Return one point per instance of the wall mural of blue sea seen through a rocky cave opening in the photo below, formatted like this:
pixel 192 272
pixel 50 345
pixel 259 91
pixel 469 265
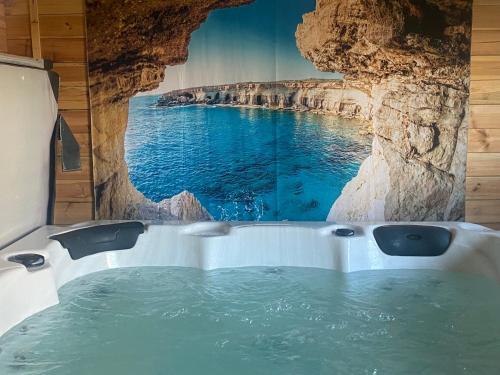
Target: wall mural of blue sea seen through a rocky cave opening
pixel 344 110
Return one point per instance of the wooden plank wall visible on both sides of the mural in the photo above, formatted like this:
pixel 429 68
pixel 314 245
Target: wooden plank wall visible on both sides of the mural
pixel 62 34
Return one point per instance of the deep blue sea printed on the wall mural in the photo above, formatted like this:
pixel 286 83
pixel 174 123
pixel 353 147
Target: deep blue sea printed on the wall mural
pixel 243 163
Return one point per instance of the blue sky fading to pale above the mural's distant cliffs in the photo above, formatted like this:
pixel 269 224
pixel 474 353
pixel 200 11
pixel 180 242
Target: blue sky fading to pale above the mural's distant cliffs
pixel 254 42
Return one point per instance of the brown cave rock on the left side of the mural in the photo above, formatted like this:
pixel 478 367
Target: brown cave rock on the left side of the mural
pixel 129 43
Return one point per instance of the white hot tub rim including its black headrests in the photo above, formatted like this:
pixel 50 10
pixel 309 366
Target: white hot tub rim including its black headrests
pixel 33 269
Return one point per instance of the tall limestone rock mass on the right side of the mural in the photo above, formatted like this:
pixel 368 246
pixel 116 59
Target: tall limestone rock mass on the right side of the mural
pixel 412 57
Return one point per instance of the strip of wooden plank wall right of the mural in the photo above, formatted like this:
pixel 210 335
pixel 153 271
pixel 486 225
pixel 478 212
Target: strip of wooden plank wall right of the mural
pixel 483 164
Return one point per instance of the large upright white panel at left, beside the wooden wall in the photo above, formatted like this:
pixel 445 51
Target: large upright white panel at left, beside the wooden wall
pixel 28 111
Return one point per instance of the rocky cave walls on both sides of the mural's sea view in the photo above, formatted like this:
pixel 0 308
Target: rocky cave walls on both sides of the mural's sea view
pixel 408 60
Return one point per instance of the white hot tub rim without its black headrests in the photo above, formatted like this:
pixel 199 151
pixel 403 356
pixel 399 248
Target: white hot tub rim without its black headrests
pixel 211 245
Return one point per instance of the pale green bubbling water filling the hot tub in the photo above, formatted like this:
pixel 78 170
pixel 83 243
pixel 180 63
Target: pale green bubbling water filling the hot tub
pixel 265 321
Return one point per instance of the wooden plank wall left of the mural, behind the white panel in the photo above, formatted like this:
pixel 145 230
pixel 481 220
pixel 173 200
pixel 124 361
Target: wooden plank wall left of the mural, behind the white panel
pixel 62 40
